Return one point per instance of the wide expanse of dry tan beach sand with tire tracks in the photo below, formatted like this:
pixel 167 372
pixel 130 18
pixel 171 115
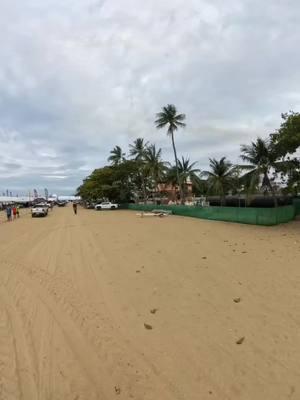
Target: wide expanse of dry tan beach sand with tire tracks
pixel 108 305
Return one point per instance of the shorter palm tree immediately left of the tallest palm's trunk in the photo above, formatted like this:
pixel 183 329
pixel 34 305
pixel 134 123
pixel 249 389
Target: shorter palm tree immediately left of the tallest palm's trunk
pixel 154 165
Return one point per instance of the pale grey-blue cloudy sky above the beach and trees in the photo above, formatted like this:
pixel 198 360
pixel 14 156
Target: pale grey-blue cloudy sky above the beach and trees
pixel 78 77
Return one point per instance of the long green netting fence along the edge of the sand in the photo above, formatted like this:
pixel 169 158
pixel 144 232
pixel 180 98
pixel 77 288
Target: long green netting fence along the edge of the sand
pixel 254 216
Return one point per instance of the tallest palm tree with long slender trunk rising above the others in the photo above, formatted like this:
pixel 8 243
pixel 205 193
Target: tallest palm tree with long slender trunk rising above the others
pixel 169 117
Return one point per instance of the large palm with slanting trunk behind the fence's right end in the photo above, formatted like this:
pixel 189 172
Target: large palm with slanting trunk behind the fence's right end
pixel 261 156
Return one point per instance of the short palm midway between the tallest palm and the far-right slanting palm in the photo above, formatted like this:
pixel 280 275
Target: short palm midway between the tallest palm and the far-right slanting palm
pixel 220 176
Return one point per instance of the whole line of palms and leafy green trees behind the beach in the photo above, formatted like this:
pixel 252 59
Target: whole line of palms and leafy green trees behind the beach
pixel 268 165
